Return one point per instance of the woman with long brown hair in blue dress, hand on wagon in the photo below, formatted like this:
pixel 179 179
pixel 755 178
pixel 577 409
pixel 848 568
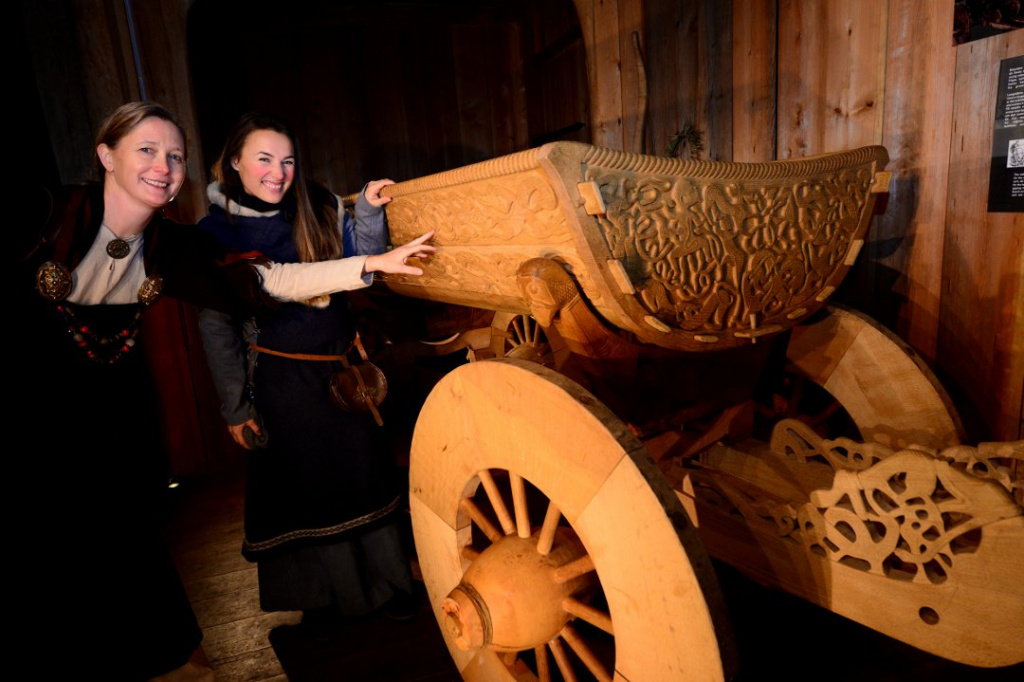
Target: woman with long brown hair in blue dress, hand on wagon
pixel 323 496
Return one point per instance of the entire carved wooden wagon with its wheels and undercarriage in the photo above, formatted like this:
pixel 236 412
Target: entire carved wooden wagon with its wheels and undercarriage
pixel 661 382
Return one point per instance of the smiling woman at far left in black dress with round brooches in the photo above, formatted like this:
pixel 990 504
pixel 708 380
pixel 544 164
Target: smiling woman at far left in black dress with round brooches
pixel 97 472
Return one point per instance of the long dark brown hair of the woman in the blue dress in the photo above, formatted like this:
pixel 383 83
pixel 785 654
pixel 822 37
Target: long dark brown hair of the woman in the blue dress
pixel 315 231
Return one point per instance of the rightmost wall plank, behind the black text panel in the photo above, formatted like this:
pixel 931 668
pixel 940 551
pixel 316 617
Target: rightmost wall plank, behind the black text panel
pixel 982 310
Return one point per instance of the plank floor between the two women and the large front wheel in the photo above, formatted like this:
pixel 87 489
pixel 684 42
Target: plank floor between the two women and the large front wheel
pixel 204 533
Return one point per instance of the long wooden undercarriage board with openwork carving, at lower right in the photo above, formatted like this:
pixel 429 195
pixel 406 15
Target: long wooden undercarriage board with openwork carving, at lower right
pixel 925 546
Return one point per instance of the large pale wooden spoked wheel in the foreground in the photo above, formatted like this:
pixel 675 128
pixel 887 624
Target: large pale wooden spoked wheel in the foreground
pixel 551 547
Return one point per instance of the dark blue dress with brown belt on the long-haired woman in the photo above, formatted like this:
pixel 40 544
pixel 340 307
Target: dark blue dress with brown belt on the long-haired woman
pixel 324 499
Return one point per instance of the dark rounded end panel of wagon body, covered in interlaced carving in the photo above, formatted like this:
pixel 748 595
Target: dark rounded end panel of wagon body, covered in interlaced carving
pixel 707 257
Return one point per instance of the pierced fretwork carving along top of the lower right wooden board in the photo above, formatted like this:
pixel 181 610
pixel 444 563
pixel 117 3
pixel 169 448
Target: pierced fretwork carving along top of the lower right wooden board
pixel 906 515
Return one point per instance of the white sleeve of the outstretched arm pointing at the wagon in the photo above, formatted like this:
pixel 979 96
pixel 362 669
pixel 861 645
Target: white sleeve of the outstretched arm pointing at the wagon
pixel 300 282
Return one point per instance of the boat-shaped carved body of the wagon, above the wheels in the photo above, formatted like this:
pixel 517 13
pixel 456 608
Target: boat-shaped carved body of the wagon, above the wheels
pixel 681 254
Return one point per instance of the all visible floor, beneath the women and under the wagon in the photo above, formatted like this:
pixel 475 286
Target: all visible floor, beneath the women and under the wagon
pixel 779 636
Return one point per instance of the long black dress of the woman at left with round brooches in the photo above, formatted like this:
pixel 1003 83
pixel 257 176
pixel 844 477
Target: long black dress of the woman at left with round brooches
pixel 99 591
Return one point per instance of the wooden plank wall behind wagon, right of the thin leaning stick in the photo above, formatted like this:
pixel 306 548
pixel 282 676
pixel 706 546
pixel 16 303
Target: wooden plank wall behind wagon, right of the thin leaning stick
pixel 813 77
